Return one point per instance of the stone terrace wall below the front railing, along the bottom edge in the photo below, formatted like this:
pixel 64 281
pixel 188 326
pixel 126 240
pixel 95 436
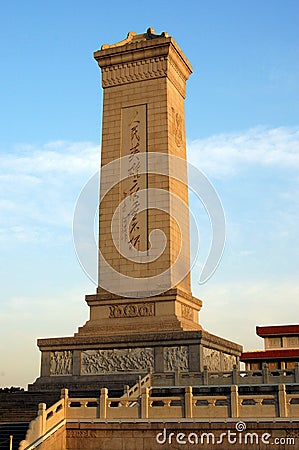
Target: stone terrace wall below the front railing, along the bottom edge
pixel 168 435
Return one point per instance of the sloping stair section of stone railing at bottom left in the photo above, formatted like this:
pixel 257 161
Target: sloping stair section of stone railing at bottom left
pixel 47 422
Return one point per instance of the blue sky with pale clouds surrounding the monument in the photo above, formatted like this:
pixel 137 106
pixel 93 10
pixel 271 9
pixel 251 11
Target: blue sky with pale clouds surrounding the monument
pixel 242 131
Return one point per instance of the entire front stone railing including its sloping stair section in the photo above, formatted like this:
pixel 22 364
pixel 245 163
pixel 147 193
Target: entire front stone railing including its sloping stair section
pixel 198 402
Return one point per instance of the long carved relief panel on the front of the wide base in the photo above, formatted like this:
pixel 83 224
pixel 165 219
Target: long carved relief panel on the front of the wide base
pixel 116 360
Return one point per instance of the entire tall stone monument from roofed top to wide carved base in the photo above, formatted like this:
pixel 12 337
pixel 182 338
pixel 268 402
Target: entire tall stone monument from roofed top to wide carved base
pixel 143 316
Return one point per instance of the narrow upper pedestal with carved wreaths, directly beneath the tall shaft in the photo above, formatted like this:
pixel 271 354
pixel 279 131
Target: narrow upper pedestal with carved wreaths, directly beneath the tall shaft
pixel 174 310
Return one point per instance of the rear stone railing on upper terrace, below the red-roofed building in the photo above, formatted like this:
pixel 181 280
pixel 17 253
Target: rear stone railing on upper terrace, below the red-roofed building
pixel 233 377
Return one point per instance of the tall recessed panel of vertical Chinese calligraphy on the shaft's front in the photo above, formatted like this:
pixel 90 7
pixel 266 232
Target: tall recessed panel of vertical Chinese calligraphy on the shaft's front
pixel 133 211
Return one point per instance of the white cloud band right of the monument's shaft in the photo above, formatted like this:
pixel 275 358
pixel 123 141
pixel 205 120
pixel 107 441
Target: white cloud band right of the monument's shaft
pixel 224 154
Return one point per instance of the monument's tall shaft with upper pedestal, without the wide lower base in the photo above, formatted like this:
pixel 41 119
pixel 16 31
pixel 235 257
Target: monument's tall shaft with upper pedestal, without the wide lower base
pixel 144 81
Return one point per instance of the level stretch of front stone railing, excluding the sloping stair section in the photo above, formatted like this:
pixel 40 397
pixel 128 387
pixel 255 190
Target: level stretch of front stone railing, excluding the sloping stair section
pixel 188 403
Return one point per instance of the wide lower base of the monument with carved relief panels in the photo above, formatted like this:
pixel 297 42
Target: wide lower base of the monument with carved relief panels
pixel 91 362
